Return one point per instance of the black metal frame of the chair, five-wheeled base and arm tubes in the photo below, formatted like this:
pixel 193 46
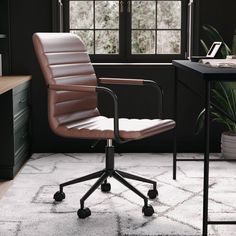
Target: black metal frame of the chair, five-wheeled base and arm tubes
pixel 109 170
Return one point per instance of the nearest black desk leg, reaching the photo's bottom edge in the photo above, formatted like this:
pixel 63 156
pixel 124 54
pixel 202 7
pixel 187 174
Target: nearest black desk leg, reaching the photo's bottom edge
pixel 206 158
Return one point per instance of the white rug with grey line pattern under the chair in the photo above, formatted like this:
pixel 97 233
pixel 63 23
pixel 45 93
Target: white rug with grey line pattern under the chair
pixel 28 208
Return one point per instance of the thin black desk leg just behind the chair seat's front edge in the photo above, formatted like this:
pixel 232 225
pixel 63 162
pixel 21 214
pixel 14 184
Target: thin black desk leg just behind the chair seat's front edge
pixel 175 129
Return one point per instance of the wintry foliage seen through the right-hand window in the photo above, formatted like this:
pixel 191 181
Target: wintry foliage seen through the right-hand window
pixel 156 27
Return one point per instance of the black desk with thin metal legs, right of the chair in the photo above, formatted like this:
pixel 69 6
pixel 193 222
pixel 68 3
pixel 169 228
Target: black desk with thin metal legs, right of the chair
pixel 207 74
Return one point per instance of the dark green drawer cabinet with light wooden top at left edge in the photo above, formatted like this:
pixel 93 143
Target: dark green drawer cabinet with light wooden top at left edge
pixel 14 126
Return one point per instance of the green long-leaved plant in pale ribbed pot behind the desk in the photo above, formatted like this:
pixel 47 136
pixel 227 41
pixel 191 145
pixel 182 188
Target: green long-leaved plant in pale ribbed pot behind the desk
pixel 224 97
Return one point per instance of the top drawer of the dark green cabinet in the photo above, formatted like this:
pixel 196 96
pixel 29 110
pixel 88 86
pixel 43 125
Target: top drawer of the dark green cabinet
pixel 20 100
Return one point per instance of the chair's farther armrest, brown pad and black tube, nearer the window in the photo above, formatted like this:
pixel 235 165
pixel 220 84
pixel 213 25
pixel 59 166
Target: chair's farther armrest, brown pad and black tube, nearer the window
pixel 142 82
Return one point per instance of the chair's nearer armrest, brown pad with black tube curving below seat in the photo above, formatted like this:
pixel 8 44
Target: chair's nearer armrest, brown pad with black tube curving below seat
pixel 85 88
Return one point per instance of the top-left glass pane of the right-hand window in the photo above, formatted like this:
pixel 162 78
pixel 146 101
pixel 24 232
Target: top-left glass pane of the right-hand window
pixel 143 14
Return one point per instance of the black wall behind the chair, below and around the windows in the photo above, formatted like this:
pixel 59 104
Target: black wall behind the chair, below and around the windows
pixel 27 17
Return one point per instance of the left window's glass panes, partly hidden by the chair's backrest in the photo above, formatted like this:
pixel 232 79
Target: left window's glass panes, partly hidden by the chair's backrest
pixel 97 23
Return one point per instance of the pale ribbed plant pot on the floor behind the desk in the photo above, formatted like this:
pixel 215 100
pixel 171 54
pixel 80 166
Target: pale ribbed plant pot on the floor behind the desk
pixel 228 145
